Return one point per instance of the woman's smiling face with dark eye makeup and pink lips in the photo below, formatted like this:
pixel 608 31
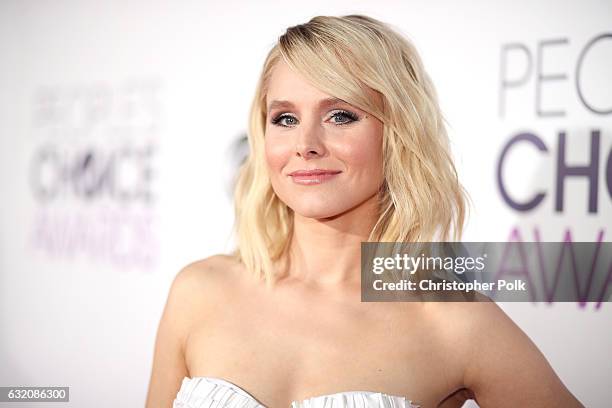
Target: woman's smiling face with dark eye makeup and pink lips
pixel 324 155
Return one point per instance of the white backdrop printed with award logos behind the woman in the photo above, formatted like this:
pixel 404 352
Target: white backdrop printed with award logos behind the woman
pixel 118 123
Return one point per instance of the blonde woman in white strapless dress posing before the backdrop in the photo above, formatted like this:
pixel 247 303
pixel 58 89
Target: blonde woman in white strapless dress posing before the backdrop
pixel 347 144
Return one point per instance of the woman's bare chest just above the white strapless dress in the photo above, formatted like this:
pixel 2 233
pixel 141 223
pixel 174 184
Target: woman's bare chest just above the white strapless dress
pixel 288 355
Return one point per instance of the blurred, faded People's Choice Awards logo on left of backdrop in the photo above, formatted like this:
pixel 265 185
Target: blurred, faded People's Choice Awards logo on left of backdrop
pixel 92 172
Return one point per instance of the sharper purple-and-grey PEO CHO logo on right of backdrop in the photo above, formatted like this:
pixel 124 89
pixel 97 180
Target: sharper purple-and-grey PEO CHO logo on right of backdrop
pixel 556 92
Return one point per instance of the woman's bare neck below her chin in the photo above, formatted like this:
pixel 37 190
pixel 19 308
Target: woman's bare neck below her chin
pixel 327 252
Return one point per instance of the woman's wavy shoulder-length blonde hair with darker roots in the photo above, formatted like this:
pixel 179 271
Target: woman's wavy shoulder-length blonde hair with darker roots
pixel 421 199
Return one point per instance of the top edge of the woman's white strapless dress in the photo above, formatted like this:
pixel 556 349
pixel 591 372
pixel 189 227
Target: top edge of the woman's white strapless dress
pixel 212 392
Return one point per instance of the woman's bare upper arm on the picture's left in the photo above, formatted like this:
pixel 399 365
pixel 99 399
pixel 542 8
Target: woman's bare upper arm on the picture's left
pixel 169 367
